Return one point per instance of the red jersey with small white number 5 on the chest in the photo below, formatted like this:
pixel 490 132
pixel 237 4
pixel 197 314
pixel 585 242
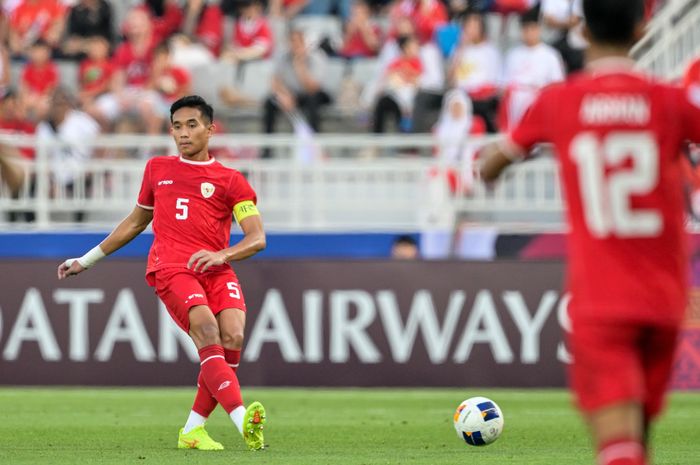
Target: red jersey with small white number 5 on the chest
pixel 192 206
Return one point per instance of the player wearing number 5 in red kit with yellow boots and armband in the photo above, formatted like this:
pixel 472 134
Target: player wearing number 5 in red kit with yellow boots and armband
pixel 191 199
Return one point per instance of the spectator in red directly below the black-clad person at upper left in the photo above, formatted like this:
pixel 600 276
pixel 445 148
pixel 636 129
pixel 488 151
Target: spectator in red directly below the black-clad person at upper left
pixel 95 71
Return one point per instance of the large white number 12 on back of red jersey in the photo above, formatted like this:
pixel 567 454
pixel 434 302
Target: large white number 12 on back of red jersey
pixel 605 196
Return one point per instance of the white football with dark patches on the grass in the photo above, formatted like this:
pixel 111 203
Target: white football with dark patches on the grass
pixel 478 421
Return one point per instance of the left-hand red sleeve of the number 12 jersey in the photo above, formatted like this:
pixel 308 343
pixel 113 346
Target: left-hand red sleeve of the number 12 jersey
pixel 533 127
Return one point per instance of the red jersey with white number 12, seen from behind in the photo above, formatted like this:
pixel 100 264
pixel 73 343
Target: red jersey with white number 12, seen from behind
pixel 618 136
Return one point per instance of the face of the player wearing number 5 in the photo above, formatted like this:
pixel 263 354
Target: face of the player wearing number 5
pixel 191 132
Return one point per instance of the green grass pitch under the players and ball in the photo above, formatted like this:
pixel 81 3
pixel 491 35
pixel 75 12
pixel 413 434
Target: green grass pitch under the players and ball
pixel 314 426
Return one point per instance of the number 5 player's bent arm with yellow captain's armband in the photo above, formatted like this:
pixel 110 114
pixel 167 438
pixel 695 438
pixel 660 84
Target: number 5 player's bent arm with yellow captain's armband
pixel 253 241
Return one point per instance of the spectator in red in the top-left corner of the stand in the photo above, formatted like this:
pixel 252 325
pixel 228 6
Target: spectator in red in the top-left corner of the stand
pixel 33 20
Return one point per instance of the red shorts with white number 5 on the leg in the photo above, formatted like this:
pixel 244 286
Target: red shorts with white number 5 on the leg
pixel 181 289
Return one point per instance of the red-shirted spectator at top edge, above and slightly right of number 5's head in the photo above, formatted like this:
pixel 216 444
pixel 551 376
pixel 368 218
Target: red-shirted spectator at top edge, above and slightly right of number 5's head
pixel 252 36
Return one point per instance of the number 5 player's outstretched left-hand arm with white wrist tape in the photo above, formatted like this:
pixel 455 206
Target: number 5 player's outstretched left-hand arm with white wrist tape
pixel 129 228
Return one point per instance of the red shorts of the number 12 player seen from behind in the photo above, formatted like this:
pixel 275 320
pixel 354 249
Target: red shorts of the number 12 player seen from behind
pixel 621 362
